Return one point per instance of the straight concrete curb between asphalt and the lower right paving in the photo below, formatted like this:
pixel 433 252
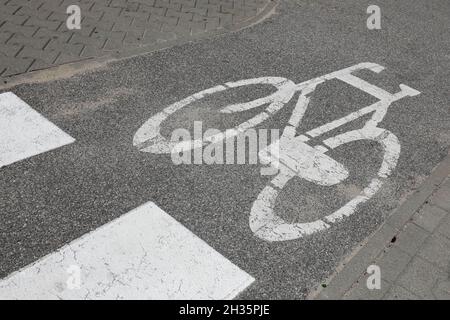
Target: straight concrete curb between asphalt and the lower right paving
pixel 355 265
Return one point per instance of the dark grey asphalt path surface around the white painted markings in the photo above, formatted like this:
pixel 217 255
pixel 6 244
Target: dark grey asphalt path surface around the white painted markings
pixel 53 198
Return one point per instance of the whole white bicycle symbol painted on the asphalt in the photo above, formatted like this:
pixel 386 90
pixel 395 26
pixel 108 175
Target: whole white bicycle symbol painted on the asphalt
pixel 296 158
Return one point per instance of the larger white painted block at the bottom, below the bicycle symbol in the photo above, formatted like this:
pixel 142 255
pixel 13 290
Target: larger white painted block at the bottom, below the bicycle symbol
pixel 144 254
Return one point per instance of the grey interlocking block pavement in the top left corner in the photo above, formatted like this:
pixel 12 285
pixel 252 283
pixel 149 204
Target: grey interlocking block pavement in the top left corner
pixel 34 35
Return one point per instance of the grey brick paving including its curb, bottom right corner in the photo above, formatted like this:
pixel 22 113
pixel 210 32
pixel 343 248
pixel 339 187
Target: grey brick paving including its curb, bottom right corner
pixel 412 249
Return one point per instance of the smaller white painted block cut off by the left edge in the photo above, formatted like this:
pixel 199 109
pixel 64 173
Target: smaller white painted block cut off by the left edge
pixel 24 132
